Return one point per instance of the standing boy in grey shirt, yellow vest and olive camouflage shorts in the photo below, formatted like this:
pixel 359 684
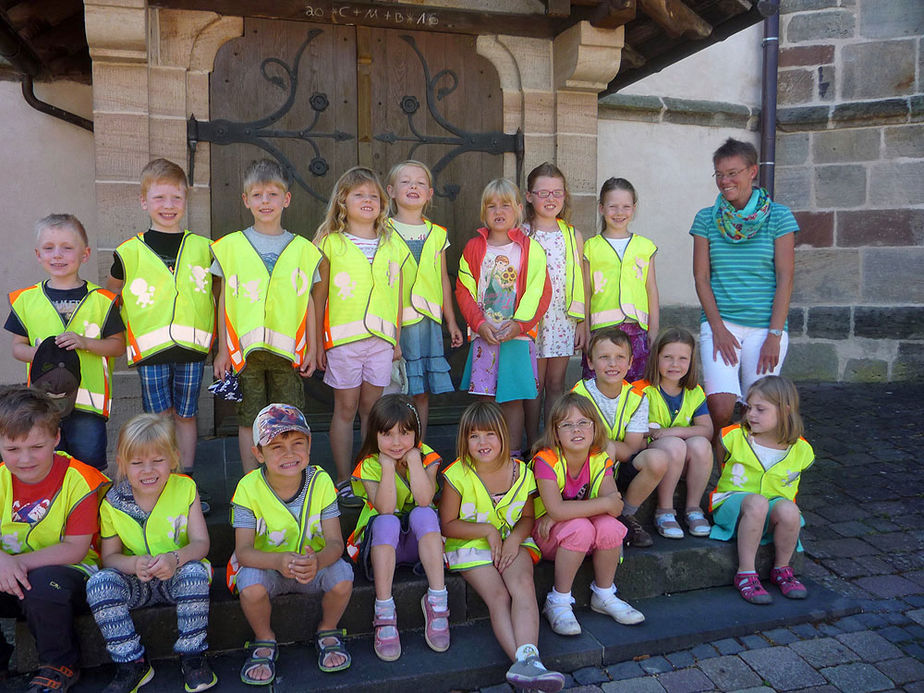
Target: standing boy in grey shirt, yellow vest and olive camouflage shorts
pixel 267 316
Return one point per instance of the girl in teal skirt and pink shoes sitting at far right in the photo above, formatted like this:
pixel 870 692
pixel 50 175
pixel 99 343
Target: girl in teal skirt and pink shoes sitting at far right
pixel 755 496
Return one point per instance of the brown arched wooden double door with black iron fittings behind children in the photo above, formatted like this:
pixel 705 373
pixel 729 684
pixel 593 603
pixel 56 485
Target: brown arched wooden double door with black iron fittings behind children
pixel 323 98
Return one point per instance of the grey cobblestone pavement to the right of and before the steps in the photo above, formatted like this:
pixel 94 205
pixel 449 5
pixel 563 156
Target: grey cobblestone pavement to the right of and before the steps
pixel 863 502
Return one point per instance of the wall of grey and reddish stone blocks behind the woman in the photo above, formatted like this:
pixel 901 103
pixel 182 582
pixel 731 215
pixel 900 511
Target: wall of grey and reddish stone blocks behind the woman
pixel 850 163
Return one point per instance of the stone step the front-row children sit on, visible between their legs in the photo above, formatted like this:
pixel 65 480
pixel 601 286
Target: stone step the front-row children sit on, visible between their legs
pixel 668 567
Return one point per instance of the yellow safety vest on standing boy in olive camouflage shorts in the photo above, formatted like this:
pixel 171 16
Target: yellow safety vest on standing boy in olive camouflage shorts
pixel 262 310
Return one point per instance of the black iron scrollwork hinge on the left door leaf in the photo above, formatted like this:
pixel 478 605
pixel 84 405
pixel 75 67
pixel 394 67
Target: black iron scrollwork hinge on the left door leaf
pixel 260 134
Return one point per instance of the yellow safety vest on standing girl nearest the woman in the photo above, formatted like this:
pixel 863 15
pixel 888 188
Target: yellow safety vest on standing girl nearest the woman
pixel 618 287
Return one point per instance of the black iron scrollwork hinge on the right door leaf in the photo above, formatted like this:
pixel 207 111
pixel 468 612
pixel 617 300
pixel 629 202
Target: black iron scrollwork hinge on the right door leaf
pixel 463 140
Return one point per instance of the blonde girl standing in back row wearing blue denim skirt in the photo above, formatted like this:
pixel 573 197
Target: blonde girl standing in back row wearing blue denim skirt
pixel 427 296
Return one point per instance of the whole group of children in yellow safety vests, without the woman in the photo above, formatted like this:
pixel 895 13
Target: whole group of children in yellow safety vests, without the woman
pixel 372 290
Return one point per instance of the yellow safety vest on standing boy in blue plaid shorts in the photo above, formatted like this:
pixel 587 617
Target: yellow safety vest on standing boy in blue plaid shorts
pixel 163 309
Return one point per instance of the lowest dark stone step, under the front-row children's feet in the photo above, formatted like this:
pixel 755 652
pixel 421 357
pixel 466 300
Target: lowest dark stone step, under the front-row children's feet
pixel 475 660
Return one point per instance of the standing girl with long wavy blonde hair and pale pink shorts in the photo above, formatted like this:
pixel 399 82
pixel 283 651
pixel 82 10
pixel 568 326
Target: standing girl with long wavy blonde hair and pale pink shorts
pixel 359 308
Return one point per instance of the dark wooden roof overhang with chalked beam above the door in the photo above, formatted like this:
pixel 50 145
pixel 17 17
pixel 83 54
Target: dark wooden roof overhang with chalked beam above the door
pixel 45 39
